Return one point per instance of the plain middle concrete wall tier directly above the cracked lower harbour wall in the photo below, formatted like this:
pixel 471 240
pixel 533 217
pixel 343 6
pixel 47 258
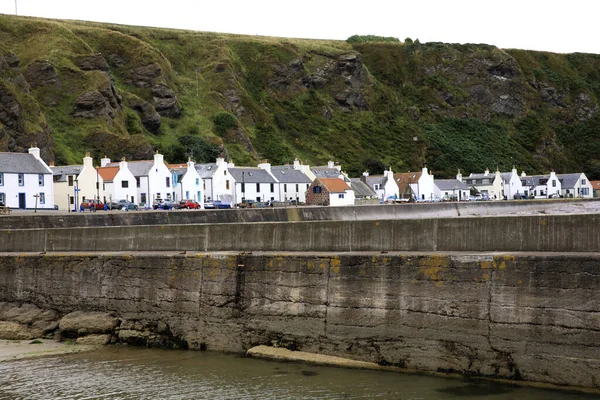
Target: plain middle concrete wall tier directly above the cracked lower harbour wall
pixel 554 233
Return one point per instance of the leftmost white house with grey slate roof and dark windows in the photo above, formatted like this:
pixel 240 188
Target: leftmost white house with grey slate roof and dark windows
pixel 26 181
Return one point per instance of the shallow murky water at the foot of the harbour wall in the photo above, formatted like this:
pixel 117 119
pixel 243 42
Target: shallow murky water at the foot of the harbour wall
pixel 122 373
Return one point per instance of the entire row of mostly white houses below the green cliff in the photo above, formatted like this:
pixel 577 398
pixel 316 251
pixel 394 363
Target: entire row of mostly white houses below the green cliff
pixel 27 182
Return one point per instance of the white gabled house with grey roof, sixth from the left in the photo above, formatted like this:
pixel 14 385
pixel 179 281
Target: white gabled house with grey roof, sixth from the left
pixel 217 181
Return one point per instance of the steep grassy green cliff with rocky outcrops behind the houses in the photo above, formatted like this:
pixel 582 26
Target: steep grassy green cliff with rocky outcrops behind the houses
pixel 118 90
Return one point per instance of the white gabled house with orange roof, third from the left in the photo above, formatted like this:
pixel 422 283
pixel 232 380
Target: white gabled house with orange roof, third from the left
pixel 119 183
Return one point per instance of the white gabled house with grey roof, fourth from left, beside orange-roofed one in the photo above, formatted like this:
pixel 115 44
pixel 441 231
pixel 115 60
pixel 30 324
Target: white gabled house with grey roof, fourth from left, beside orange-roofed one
pixel 153 179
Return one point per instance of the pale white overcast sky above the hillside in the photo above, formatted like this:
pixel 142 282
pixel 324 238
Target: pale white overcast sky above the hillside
pixel 550 25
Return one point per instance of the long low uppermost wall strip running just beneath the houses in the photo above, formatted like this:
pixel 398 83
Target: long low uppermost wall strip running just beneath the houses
pixel 51 219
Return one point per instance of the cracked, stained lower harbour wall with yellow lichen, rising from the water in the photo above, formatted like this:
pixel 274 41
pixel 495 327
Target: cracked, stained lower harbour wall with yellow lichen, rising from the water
pixel 532 317
